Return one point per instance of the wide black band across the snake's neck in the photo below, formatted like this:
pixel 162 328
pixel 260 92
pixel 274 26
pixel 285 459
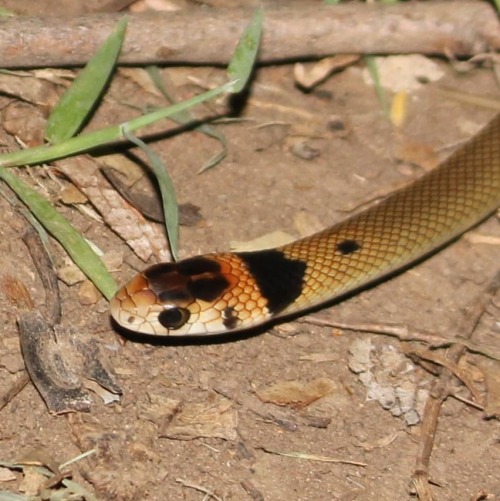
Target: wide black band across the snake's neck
pixel 279 279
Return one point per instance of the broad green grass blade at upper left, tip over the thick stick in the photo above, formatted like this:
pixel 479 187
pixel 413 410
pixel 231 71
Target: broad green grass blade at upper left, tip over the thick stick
pixel 80 99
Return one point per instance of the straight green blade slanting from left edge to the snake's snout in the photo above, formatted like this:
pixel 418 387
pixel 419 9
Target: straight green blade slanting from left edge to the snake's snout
pixel 60 228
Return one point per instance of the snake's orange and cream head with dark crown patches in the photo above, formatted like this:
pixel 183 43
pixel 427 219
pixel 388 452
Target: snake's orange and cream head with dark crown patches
pixel 202 295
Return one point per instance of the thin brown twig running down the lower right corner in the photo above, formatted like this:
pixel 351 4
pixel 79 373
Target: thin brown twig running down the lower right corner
pixel 440 392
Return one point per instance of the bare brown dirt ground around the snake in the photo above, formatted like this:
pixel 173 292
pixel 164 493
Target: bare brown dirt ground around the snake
pixel 192 422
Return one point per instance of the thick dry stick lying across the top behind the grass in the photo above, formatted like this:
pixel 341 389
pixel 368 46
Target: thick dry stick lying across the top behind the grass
pixel 294 31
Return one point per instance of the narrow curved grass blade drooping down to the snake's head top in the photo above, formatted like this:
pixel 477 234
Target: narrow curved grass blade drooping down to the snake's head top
pixel 167 190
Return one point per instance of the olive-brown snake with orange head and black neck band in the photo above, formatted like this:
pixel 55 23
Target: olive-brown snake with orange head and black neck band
pixel 226 292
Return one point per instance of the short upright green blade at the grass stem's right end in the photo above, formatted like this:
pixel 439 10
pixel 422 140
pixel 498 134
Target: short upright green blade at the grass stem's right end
pixel 243 60
